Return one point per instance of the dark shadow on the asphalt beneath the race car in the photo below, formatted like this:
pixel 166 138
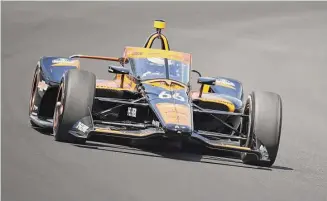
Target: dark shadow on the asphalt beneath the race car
pixel 168 151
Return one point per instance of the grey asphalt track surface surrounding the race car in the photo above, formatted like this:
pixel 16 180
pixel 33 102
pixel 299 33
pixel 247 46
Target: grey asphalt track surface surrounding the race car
pixel 278 47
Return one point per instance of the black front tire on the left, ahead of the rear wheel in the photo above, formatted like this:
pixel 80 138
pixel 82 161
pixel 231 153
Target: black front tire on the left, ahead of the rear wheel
pixel 75 101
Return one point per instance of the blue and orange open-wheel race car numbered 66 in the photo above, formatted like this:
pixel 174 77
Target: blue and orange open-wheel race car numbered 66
pixel 151 96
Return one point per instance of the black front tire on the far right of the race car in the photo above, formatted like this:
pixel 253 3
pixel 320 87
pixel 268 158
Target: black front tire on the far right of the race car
pixel 264 128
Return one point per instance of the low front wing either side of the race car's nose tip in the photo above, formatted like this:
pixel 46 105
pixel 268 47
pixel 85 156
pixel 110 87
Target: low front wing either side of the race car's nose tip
pixel 88 127
